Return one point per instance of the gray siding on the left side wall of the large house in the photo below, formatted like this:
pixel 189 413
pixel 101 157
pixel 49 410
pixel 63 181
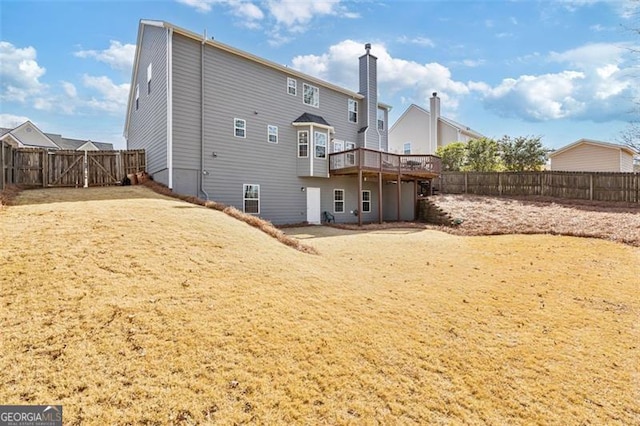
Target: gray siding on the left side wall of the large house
pixel 148 124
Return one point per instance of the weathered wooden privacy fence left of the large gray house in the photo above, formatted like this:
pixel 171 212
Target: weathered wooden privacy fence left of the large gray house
pixel 30 167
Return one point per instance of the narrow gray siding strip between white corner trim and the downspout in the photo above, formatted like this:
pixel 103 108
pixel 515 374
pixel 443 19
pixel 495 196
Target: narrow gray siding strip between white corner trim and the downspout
pixel 186 82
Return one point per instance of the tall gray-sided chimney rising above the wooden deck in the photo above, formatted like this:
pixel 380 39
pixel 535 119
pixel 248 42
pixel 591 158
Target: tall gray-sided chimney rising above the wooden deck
pixel 368 116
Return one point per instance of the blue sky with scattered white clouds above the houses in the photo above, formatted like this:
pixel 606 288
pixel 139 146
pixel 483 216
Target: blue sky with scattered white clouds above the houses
pixel 561 69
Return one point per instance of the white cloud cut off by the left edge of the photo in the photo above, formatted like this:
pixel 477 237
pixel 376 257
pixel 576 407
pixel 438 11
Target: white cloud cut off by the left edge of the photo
pixel 19 72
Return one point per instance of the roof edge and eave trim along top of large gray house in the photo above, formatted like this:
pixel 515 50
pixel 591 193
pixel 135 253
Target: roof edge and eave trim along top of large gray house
pixel 229 49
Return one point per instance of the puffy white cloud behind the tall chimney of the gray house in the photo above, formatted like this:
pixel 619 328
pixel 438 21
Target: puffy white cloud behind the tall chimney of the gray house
pixel 340 66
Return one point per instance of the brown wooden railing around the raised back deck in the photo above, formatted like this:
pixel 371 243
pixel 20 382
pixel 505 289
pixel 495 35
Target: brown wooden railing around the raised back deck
pixel 385 162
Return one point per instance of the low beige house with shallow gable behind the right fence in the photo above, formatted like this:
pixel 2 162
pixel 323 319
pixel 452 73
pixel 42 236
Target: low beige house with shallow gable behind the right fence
pixel 587 155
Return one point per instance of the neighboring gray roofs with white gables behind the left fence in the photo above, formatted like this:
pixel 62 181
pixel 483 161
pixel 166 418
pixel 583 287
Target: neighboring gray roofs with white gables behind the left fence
pixel 28 135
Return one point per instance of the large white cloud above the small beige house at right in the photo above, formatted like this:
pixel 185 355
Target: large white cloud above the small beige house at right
pixel 594 86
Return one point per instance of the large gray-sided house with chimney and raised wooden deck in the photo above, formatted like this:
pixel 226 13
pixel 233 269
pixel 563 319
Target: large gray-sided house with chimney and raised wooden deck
pixel 223 124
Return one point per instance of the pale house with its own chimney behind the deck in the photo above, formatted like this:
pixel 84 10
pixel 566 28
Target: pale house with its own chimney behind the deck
pixel 419 131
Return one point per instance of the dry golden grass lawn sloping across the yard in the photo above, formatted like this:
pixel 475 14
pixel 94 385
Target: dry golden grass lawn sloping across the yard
pixel 128 307
